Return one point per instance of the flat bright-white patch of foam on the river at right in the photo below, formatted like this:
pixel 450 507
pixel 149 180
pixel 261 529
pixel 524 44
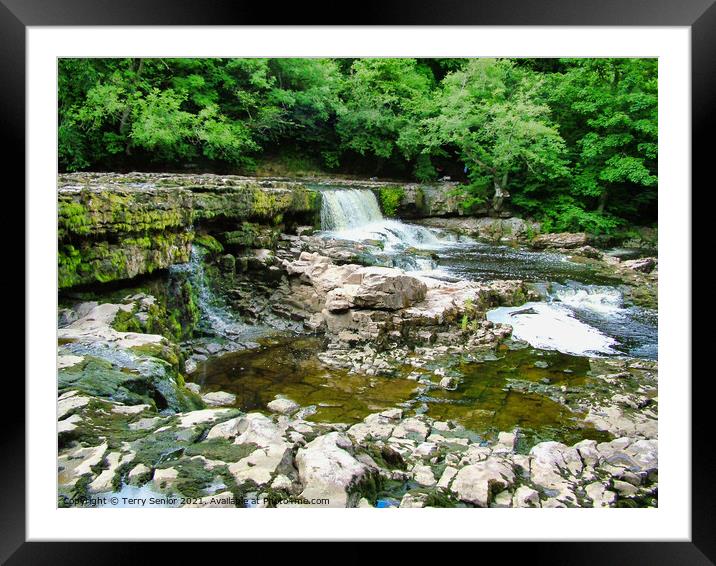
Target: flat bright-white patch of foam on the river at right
pixel 553 327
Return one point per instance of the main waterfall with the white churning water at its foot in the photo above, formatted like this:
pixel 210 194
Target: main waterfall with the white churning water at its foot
pixel 354 214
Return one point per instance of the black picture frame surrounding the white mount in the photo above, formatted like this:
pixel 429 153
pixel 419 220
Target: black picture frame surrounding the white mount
pixel 699 15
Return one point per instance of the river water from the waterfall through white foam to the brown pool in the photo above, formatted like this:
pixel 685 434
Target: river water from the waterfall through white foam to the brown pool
pixel 581 315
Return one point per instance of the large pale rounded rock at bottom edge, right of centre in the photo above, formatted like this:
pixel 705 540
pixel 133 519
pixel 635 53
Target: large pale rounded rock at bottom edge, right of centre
pixel 474 483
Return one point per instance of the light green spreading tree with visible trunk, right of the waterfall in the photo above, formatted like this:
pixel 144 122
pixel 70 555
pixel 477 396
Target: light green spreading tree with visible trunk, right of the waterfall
pixel 487 112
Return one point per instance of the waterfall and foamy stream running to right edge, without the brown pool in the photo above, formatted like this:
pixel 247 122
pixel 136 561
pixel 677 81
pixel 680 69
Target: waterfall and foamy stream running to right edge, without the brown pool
pixel 583 312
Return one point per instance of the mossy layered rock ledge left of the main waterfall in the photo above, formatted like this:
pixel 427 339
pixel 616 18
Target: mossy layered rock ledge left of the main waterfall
pixel 115 227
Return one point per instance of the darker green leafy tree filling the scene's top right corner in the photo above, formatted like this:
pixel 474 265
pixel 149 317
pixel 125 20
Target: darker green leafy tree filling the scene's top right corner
pixel 609 109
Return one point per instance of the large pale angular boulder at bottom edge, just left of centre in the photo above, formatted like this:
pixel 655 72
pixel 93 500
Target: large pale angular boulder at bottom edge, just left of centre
pixel 327 469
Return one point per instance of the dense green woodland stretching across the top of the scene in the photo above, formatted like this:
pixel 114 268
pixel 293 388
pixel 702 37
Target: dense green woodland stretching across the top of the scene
pixel 570 142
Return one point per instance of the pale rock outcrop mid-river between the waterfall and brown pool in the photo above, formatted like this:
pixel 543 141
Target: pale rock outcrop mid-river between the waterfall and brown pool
pixel 355 304
